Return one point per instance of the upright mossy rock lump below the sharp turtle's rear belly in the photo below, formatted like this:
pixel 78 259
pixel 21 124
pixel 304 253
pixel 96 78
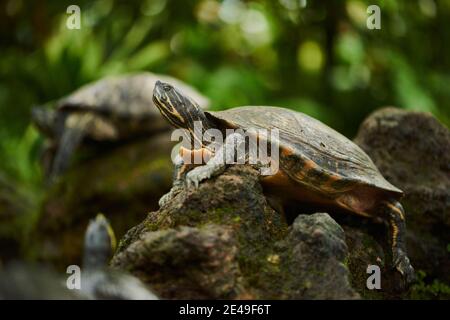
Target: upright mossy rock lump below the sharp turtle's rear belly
pixel 314 252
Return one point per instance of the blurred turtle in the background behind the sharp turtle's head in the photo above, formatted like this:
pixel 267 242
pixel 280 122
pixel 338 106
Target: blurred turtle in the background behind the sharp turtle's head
pixel 114 108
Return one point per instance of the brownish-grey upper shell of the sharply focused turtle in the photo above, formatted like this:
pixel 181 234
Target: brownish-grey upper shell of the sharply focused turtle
pixel 310 139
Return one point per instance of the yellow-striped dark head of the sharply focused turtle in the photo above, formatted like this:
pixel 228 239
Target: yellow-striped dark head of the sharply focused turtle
pixel 180 110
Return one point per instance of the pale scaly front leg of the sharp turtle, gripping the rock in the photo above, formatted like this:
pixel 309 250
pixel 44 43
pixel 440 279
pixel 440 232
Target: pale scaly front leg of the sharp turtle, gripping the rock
pixel 217 164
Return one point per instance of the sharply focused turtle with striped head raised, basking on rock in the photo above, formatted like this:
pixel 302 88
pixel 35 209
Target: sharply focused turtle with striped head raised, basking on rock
pixel 317 165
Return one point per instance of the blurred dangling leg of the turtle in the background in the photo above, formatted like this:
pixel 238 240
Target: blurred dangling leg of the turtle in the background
pixel 75 128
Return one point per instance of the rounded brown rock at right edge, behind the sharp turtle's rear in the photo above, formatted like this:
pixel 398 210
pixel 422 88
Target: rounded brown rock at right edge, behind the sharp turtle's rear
pixel 412 150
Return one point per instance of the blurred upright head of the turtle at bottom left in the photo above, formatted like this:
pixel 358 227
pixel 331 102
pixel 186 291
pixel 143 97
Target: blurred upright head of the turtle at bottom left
pixel 99 243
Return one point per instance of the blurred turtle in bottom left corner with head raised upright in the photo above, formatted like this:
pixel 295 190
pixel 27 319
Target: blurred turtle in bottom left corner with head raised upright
pixel 22 281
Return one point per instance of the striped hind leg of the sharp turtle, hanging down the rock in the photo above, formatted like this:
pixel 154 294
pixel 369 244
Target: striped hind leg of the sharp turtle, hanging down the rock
pixel 396 218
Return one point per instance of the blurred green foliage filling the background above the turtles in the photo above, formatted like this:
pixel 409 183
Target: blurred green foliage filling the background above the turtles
pixel 314 56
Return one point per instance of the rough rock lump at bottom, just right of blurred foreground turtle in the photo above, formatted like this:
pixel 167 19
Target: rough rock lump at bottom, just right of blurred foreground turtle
pixel 204 259
